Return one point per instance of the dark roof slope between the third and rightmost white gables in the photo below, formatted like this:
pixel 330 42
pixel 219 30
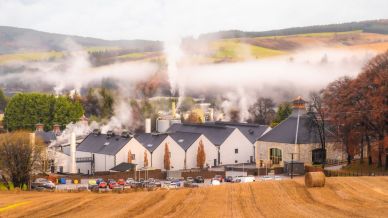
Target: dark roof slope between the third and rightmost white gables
pixel 215 133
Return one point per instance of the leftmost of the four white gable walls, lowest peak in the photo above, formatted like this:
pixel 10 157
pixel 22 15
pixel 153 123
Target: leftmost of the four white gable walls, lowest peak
pixel 137 149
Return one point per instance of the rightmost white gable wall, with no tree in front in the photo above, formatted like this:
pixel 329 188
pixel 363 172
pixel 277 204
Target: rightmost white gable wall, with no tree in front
pixel 236 140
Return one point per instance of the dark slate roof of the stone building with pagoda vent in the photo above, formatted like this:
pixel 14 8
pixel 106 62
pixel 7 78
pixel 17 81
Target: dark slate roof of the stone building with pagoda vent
pixel 285 132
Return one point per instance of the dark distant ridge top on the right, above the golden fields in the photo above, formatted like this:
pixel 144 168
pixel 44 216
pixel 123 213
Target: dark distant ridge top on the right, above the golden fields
pixel 373 26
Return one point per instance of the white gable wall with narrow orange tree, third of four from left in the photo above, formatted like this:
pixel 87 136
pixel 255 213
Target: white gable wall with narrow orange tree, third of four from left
pixel 211 153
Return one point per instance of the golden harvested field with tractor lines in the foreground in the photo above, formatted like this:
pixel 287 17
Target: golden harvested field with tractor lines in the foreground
pixel 342 197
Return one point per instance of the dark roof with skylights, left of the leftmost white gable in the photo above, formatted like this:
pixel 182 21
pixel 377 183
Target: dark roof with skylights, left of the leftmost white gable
pixel 102 144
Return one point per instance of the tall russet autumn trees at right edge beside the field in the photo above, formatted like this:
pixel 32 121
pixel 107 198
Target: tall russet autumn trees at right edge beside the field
pixel 360 106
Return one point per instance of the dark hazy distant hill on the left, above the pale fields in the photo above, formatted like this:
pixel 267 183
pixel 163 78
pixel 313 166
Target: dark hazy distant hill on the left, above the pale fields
pixel 14 40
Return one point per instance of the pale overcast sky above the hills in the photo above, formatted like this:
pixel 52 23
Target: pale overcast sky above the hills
pixel 160 19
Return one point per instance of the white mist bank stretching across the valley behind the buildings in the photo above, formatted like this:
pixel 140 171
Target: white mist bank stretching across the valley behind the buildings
pixel 238 85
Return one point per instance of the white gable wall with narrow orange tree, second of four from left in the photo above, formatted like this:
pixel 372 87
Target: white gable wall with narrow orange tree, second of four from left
pixel 177 155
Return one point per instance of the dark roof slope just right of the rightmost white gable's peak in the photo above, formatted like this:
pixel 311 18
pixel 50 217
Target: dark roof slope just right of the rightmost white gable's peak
pixel 251 131
